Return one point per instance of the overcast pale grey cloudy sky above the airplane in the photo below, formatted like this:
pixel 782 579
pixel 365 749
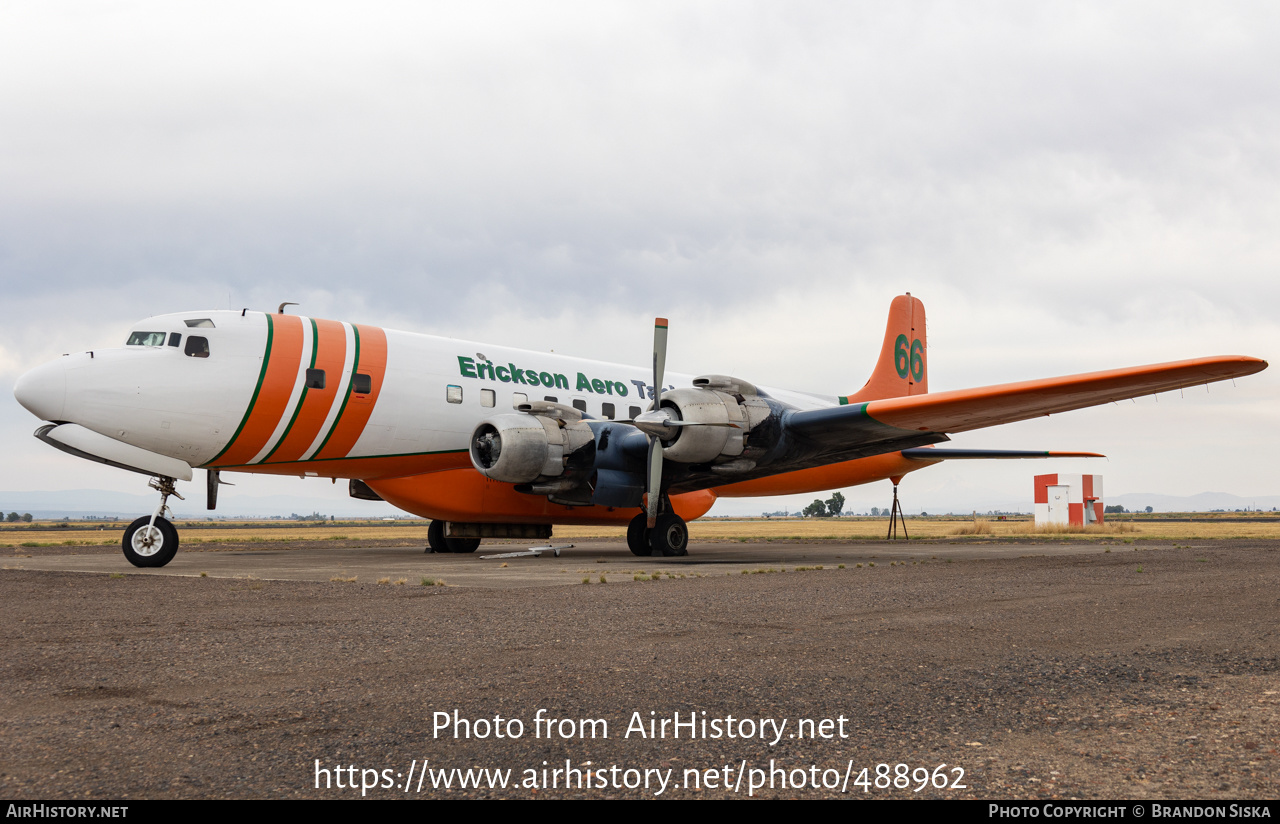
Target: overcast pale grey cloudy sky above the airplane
pixel 1068 187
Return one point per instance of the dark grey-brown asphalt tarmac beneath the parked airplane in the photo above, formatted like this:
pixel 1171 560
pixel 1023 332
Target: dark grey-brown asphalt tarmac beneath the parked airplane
pixel 948 671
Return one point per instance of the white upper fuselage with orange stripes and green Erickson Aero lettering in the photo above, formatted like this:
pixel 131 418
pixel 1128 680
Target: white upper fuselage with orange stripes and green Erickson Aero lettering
pixel 424 399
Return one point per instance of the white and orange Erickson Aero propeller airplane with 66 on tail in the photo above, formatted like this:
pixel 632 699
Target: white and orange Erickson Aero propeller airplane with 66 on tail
pixel 491 442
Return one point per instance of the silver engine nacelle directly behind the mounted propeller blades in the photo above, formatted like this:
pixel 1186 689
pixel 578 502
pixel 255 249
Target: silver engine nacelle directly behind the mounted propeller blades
pixel 716 400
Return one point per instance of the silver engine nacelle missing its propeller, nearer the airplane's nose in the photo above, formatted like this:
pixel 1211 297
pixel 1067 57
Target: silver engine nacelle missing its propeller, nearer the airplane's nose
pixel 525 448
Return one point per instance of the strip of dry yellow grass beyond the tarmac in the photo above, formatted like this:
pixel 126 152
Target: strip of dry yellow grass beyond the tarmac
pixel 1205 527
